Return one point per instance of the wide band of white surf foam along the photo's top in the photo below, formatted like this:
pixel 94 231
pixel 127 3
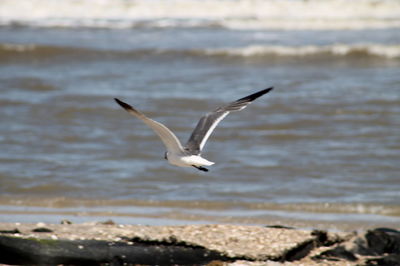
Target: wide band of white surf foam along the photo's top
pixel 243 14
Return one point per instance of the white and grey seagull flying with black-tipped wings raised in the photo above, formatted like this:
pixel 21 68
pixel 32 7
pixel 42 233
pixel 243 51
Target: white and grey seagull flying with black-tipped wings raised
pixel 190 154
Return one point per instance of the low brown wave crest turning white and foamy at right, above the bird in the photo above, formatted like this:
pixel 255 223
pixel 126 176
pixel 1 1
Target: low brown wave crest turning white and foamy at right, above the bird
pixel 257 51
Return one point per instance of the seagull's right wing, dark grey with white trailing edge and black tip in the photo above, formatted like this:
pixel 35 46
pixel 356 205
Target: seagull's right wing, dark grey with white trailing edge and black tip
pixel 207 123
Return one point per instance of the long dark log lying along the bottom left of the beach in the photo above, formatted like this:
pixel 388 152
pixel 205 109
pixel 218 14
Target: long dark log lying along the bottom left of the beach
pixel 14 250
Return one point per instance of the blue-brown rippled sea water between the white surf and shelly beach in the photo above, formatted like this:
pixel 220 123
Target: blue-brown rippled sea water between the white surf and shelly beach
pixel 323 145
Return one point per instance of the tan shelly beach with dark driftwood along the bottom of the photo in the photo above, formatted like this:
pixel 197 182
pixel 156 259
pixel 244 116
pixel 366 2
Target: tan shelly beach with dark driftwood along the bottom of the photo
pixel 225 244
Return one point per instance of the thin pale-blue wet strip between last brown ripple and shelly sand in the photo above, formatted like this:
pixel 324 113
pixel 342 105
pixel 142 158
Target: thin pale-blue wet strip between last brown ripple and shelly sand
pixel 157 217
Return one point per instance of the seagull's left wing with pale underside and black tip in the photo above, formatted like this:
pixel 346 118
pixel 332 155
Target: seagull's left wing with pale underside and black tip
pixel 168 138
